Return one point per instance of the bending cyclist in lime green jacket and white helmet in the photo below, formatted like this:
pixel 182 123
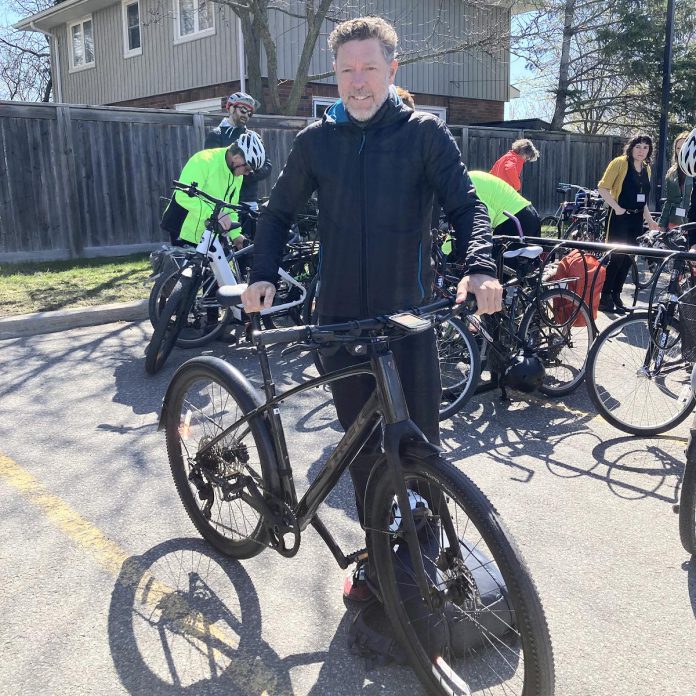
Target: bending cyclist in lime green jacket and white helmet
pixel 220 173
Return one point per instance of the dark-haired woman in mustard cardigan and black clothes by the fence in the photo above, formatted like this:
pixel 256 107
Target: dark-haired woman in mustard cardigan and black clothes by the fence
pixel 625 187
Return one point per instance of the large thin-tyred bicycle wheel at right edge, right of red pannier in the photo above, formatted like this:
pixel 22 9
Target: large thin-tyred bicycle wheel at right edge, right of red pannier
pixel 637 378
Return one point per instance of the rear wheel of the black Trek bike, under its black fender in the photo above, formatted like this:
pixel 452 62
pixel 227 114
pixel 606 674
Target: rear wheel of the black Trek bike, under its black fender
pixel 205 397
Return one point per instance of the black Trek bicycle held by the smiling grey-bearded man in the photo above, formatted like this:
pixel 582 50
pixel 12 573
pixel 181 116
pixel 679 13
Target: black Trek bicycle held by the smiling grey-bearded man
pixel 453 584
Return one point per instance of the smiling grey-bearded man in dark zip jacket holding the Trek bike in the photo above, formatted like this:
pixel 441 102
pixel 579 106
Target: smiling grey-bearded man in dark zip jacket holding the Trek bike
pixel 376 165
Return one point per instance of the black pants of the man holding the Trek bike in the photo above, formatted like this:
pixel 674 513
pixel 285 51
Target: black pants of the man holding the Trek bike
pixel 417 362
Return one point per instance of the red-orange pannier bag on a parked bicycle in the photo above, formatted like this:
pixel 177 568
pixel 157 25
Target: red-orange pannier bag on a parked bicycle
pixel 580 270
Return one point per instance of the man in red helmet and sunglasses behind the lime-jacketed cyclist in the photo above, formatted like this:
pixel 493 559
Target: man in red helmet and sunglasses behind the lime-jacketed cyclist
pixel 240 107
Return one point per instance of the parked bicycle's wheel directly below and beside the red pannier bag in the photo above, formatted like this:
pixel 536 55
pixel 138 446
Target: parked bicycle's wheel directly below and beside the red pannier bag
pixel 559 328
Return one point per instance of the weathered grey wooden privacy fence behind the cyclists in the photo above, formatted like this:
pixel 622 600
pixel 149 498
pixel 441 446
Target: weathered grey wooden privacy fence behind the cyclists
pixel 89 181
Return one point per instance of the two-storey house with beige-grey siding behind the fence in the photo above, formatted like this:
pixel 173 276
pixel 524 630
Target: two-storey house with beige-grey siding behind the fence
pixel 187 54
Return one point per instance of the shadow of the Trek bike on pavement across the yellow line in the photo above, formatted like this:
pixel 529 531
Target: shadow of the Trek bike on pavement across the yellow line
pixel 185 619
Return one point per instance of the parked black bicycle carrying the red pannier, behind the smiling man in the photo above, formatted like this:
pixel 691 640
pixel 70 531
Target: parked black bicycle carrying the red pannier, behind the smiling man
pixel 540 339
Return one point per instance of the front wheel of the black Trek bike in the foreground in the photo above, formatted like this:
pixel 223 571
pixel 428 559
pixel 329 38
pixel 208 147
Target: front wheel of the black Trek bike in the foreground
pixel 486 631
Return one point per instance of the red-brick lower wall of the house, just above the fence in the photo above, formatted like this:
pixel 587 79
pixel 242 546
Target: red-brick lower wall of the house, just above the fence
pixel 460 111
